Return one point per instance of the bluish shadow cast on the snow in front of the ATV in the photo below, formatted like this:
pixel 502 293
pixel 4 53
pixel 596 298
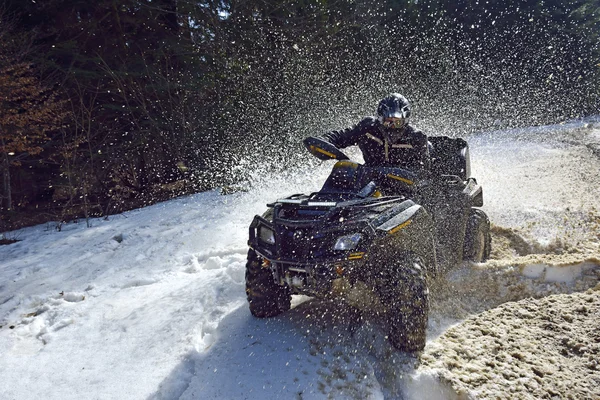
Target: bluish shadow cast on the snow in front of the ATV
pixel 318 349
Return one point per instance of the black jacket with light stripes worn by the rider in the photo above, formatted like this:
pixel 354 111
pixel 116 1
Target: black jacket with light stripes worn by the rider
pixel 409 151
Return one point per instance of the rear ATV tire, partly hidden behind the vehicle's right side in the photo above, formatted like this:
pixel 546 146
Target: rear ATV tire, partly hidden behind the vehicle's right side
pixel 478 241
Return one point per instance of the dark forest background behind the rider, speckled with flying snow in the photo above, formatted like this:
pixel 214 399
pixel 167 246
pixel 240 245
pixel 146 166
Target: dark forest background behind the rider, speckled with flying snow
pixel 108 105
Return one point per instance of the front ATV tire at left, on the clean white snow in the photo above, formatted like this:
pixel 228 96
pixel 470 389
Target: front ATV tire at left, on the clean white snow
pixel 265 297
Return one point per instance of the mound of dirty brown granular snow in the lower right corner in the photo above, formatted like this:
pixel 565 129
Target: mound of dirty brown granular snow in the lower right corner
pixel 546 348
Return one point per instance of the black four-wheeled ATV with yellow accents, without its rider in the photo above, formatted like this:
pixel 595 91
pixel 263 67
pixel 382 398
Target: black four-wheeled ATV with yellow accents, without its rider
pixel 373 236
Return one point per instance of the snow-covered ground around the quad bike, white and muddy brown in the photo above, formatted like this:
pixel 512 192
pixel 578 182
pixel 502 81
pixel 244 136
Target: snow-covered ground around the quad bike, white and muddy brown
pixel 151 303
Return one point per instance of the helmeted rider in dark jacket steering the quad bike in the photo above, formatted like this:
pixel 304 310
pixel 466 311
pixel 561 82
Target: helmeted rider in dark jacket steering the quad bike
pixel 387 140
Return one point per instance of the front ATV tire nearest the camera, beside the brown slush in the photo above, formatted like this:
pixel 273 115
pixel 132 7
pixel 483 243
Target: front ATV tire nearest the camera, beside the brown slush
pixel 404 294
